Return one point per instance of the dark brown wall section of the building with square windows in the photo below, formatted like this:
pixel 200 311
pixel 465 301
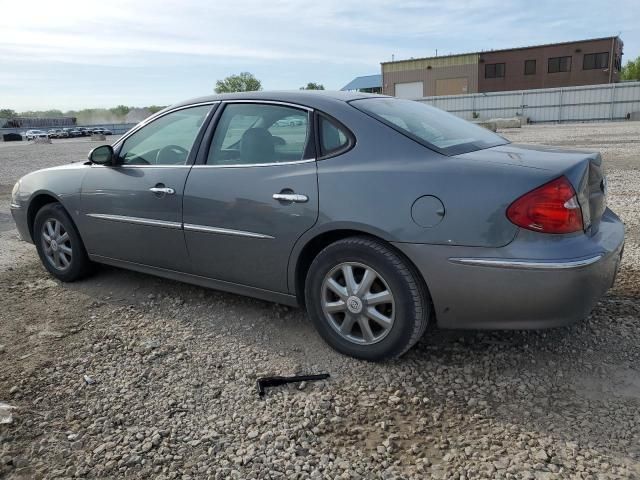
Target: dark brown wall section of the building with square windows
pixel 514 60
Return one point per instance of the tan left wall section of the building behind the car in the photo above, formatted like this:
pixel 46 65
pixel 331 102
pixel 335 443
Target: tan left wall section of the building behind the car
pixel 454 67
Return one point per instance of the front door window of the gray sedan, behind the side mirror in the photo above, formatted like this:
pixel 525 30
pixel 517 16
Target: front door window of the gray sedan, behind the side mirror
pixel 165 141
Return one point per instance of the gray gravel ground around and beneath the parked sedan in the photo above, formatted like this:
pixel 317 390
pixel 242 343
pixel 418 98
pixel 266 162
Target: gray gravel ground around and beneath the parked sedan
pixel 126 375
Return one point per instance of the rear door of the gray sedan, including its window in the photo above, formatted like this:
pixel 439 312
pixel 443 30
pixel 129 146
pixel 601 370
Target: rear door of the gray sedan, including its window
pixel 254 195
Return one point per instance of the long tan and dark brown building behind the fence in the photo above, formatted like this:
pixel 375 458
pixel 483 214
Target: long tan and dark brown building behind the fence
pixel 583 62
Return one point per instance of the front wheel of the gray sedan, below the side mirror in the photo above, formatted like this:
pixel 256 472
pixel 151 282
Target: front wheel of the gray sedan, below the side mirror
pixel 53 221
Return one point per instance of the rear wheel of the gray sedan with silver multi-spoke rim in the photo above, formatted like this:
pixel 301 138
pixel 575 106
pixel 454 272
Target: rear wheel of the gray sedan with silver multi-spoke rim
pixel 342 319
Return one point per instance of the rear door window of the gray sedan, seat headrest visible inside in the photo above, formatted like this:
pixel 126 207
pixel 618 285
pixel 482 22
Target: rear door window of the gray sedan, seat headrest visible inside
pixel 253 133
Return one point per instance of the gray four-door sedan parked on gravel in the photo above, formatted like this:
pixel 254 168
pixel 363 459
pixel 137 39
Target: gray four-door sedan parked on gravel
pixel 377 215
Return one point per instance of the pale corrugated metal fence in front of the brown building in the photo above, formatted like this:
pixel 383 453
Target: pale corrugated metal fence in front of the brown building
pixel 615 101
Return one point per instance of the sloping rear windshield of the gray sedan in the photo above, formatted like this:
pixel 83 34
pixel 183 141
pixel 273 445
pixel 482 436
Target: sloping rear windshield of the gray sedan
pixel 430 126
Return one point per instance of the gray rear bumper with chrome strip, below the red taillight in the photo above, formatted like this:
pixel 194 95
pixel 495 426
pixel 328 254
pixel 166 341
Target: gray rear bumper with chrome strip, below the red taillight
pixel 535 282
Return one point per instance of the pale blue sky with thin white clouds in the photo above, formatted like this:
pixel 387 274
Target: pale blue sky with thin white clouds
pixel 78 54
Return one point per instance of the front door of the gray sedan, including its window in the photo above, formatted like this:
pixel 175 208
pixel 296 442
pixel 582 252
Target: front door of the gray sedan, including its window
pixel 132 210
